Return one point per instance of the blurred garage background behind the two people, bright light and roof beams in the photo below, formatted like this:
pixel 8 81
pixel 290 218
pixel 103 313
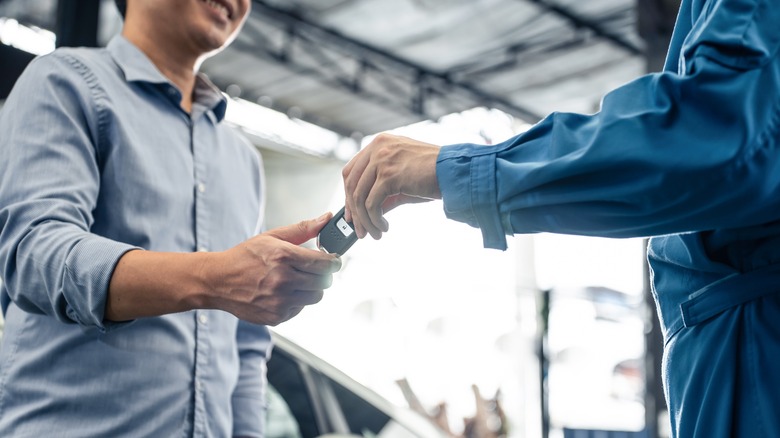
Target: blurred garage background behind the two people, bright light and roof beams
pixel 557 336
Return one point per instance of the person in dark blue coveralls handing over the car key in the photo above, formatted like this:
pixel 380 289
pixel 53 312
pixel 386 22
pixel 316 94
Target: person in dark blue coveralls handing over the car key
pixel 689 155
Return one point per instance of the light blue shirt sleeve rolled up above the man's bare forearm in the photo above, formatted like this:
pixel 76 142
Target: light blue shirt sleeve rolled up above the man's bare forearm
pixel 49 184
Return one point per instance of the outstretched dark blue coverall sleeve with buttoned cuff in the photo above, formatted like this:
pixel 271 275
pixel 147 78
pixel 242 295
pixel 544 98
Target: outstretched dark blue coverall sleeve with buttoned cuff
pixel 667 153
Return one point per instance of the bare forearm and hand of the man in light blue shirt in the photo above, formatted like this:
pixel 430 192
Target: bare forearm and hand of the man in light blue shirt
pixel 267 279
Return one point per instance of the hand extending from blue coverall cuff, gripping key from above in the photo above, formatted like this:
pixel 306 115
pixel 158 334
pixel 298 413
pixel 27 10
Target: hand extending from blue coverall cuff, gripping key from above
pixel 390 171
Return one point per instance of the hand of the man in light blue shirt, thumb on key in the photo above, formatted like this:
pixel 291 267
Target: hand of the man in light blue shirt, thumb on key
pixel 269 278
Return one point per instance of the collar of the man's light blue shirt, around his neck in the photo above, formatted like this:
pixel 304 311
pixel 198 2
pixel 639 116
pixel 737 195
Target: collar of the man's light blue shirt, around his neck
pixel 137 67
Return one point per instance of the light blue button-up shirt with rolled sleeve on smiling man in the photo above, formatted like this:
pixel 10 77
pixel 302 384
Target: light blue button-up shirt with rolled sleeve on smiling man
pixel 97 158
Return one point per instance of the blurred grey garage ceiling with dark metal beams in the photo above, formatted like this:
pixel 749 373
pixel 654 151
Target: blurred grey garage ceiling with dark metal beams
pixel 363 66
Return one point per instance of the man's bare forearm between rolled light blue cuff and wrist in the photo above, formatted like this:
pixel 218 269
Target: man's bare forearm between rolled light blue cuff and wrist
pixel 148 283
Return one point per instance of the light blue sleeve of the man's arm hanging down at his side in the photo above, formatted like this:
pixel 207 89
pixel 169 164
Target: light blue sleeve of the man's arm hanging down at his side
pixel 249 397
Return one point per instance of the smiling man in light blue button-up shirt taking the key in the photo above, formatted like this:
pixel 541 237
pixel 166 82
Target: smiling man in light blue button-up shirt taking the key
pixel 134 294
